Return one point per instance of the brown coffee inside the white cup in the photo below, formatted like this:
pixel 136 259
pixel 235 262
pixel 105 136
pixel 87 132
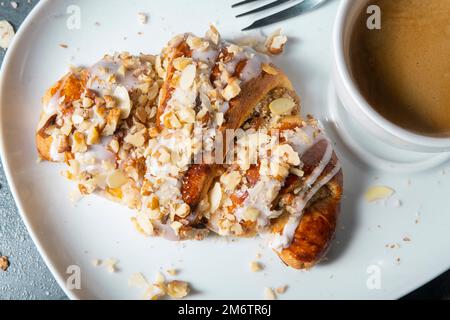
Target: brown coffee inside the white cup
pixel 403 69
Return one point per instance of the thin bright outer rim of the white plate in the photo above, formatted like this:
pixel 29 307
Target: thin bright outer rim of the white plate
pixel 22 30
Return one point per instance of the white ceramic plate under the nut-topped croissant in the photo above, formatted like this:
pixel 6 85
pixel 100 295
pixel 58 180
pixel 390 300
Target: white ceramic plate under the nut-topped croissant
pixel 97 229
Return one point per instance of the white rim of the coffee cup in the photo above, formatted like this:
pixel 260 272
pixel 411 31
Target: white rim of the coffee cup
pixel 350 86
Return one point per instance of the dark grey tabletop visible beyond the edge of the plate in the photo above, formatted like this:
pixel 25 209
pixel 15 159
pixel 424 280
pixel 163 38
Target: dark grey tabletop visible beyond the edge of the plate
pixel 28 276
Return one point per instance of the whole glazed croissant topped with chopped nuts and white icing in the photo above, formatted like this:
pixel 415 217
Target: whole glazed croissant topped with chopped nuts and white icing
pixel 204 137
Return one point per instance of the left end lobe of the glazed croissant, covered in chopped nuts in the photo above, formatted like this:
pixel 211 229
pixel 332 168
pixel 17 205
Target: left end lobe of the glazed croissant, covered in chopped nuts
pixel 97 120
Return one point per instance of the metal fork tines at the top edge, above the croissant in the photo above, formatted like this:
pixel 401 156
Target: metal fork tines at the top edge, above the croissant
pixel 304 6
